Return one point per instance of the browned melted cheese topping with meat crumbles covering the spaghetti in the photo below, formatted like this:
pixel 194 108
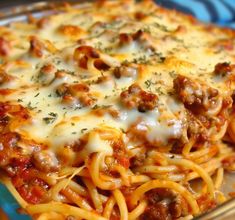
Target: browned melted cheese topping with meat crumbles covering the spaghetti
pixel 117 78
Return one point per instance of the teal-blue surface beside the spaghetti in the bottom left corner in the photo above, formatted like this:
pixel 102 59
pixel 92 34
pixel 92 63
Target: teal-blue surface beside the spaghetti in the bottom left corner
pixel 9 205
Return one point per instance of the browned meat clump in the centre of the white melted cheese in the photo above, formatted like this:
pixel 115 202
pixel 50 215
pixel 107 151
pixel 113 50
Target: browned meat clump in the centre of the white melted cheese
pixel 135 97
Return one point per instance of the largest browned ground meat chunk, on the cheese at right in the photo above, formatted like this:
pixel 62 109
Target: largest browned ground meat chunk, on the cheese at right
pixel 192 92
